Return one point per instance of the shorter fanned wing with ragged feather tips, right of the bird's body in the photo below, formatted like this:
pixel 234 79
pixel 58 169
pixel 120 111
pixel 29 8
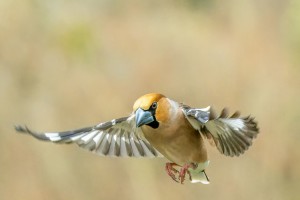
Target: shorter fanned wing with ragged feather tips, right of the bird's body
pixel 232 135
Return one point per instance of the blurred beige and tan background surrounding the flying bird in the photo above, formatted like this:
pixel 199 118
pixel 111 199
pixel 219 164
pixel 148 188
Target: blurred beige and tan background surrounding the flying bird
pixel 71 64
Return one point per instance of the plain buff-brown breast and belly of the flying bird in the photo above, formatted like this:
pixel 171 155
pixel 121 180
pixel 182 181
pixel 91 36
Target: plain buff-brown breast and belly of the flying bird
pixel 178 141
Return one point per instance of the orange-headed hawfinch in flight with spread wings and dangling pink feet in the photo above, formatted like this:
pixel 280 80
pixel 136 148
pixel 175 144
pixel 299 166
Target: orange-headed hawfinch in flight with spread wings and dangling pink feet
pixel 162 127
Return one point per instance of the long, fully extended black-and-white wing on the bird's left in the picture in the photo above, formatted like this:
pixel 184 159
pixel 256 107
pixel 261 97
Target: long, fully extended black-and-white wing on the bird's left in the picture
pixel 118 137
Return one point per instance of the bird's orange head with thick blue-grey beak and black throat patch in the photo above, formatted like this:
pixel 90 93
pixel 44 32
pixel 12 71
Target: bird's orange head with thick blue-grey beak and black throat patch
pixel 150 109
